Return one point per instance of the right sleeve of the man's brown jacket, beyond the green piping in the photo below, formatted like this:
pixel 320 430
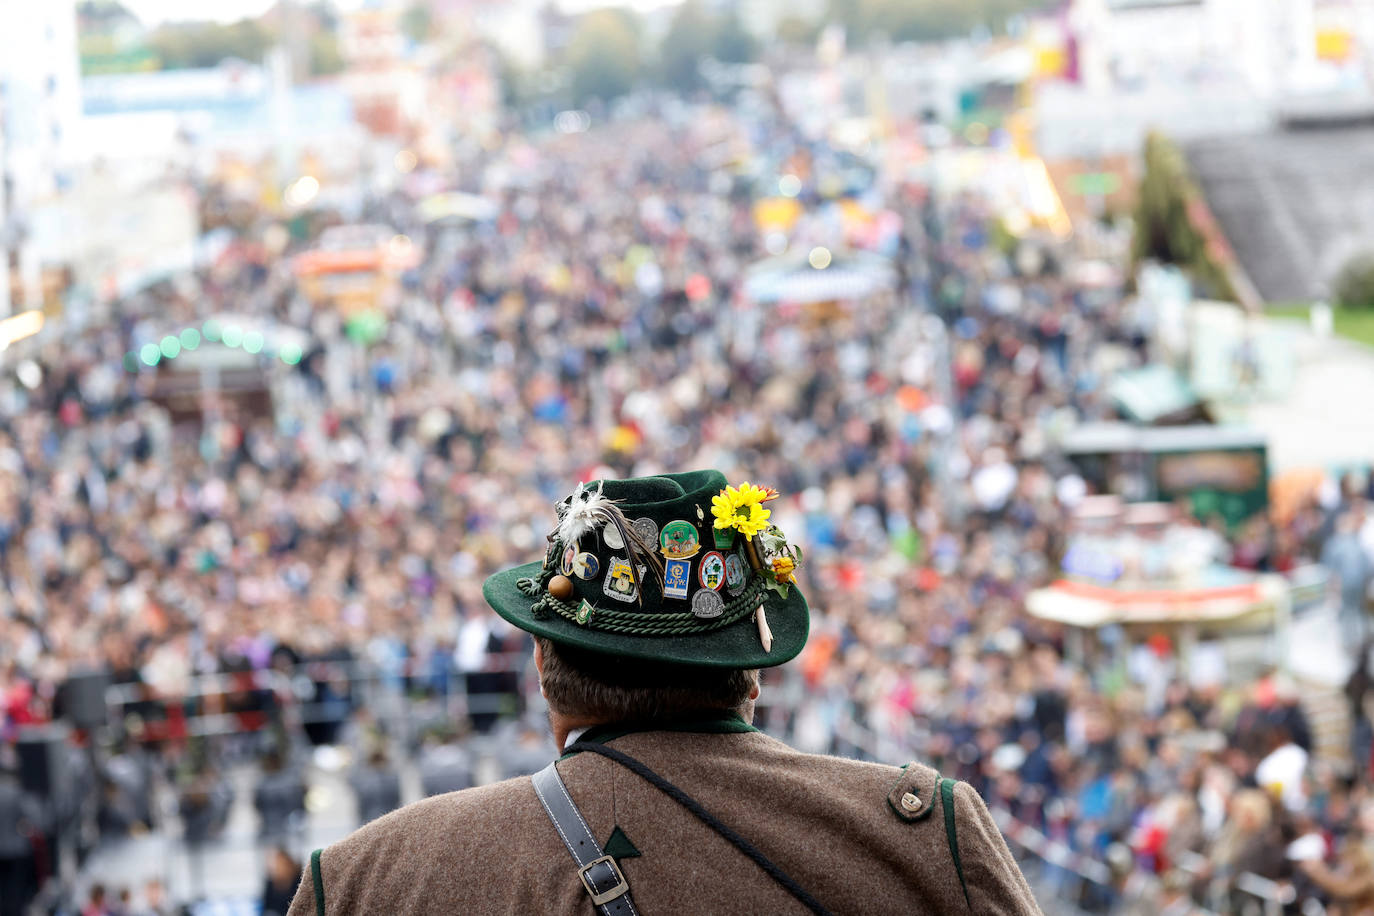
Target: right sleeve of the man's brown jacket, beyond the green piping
pixel 995 881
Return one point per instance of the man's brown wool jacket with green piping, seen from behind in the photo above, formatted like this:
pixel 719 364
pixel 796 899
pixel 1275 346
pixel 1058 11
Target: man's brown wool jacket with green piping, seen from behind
pixel 837 826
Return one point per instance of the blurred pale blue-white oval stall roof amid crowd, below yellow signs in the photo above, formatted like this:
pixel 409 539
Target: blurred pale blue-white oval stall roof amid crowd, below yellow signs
pixel 807 278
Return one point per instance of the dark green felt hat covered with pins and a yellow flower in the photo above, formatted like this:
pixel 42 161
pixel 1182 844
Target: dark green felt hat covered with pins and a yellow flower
pixel 640 569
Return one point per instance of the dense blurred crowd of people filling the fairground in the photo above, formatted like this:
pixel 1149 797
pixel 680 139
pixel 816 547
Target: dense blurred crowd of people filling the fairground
pixel 329 549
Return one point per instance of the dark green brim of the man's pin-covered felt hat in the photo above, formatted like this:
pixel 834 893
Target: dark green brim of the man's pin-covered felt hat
pixel 736 646
